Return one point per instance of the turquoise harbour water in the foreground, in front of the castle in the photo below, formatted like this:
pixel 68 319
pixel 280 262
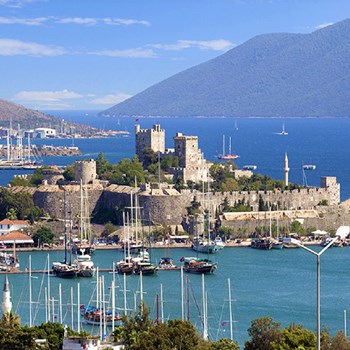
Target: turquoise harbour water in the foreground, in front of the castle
pixel 276 283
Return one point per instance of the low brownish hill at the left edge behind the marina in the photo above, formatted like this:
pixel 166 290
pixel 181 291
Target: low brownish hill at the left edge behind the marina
pixel 30 119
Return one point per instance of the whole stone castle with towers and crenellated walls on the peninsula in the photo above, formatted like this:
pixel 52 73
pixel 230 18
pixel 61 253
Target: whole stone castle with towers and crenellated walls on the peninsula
pixel 165 205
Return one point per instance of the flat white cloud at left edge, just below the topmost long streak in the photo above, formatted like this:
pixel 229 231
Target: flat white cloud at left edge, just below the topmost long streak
pixel 10 47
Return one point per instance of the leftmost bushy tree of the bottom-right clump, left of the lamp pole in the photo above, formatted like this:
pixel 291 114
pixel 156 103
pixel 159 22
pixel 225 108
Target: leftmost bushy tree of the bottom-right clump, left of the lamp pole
pixel 264 334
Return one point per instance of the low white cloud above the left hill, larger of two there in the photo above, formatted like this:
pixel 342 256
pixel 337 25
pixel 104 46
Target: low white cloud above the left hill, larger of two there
pixel 47 96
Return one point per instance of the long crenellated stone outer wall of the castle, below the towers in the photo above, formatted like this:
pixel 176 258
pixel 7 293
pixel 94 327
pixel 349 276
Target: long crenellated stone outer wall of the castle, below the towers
pixel 168 206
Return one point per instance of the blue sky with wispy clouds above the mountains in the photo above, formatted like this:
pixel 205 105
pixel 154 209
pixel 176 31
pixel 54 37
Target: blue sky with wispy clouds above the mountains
pixel 93 54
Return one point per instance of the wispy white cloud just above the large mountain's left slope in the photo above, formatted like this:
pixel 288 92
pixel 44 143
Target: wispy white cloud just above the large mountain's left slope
pixel 216 45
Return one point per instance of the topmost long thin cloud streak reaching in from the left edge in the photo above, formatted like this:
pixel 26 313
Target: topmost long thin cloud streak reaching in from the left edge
pixel 86 21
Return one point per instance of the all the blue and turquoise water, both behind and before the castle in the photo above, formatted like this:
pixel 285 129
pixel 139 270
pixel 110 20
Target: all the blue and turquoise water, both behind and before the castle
pixel 280 284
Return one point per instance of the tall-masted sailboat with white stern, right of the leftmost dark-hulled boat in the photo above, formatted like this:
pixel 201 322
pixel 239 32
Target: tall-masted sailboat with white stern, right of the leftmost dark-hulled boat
pixel 83 250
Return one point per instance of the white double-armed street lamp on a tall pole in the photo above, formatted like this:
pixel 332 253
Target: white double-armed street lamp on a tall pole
pixel 341 233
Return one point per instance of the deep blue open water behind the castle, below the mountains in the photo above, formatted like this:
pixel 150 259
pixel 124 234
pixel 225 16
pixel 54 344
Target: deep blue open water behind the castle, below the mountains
pixel 324 142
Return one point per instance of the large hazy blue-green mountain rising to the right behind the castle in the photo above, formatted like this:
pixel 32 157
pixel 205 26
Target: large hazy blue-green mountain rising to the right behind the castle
pixel 270 75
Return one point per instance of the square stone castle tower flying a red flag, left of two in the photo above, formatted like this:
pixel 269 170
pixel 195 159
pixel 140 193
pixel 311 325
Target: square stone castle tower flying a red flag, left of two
pixel 149 138
